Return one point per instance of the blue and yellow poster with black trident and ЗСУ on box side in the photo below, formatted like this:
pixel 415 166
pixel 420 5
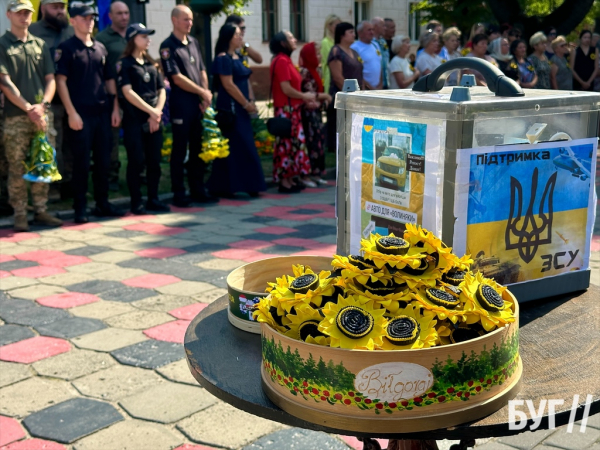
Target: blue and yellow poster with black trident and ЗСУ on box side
pixel 526 212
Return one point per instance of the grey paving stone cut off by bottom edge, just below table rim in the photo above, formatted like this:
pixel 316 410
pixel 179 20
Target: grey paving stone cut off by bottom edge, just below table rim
pixel 297 439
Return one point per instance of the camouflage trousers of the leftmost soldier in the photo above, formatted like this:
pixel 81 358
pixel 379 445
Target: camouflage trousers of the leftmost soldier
pixel 18 133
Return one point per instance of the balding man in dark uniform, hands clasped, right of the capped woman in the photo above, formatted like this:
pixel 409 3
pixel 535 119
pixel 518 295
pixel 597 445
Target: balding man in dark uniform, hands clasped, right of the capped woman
pixel 182 64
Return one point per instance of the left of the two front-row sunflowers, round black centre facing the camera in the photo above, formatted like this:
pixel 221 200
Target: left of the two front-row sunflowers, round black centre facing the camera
pixel 352 324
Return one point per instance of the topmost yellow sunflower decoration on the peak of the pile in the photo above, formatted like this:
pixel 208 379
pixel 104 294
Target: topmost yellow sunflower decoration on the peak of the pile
pixel 389 250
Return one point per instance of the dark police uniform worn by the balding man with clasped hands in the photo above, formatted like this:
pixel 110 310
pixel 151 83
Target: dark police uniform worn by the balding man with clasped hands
pixel 186 116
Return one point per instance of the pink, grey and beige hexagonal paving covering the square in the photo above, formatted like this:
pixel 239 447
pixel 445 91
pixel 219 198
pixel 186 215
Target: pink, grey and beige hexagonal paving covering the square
pixel 93 318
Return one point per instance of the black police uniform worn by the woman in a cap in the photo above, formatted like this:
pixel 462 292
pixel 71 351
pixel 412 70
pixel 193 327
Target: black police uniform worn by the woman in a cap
pixel 141 145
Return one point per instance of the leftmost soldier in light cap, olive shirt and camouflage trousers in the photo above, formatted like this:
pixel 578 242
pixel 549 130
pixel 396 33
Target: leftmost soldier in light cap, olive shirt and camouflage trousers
pixel 27 81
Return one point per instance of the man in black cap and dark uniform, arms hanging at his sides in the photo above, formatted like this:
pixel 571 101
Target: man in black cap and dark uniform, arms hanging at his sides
pixel 87 88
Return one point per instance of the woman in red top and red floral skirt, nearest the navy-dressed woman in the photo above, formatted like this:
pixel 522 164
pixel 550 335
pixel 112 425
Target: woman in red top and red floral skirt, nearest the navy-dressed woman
pixel 291 163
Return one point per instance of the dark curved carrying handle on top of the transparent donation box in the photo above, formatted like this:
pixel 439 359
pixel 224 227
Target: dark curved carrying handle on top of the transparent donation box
pixel 497 82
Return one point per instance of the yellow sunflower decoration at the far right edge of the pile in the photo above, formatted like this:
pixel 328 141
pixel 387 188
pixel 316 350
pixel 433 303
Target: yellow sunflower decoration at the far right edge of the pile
pixel 483 302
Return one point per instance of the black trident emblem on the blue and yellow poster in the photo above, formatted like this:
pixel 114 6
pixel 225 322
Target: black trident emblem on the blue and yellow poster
pixel 535 230
